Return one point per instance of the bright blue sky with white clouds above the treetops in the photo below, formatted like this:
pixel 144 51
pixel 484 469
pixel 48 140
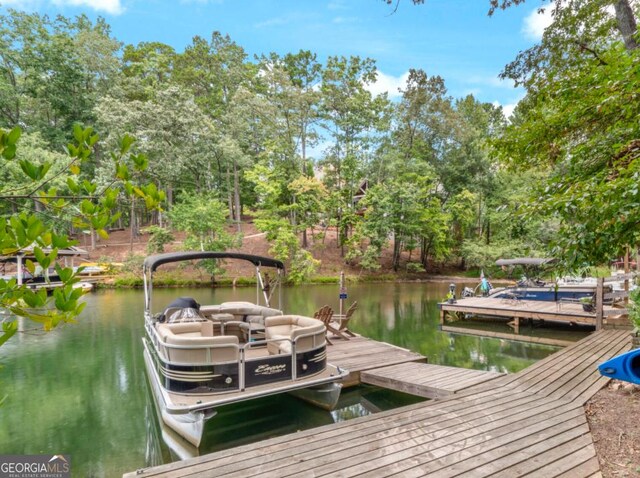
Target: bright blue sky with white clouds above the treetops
pixel 455 39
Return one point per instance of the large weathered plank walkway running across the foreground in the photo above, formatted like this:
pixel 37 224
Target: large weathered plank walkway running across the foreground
pixel 529 423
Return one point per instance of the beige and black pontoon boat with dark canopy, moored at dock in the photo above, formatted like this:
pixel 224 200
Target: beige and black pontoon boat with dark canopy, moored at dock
pixel 200 357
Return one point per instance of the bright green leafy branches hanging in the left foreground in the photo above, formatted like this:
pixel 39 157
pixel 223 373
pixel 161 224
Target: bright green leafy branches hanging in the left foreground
pixel 27 234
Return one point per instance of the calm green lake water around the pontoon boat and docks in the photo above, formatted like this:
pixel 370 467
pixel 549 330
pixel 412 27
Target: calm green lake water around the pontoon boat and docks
pixel 82 389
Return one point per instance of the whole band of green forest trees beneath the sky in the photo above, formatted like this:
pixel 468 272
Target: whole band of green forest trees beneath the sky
pixel 97 134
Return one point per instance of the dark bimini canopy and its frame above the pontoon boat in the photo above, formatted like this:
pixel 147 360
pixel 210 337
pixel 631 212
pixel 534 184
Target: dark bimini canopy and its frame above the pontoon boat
pixel 264 286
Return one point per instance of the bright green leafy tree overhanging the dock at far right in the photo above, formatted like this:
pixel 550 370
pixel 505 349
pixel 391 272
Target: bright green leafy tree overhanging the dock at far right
pixel 579 123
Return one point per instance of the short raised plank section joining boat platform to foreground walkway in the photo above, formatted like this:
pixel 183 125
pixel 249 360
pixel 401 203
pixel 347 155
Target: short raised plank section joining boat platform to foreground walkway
pixel 427 380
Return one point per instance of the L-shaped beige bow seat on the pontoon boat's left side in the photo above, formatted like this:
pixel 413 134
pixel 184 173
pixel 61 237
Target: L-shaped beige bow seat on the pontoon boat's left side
pixel 205 347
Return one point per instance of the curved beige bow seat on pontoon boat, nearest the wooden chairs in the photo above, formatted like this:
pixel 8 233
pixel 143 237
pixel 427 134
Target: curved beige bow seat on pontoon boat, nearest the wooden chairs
pixel 306 332
